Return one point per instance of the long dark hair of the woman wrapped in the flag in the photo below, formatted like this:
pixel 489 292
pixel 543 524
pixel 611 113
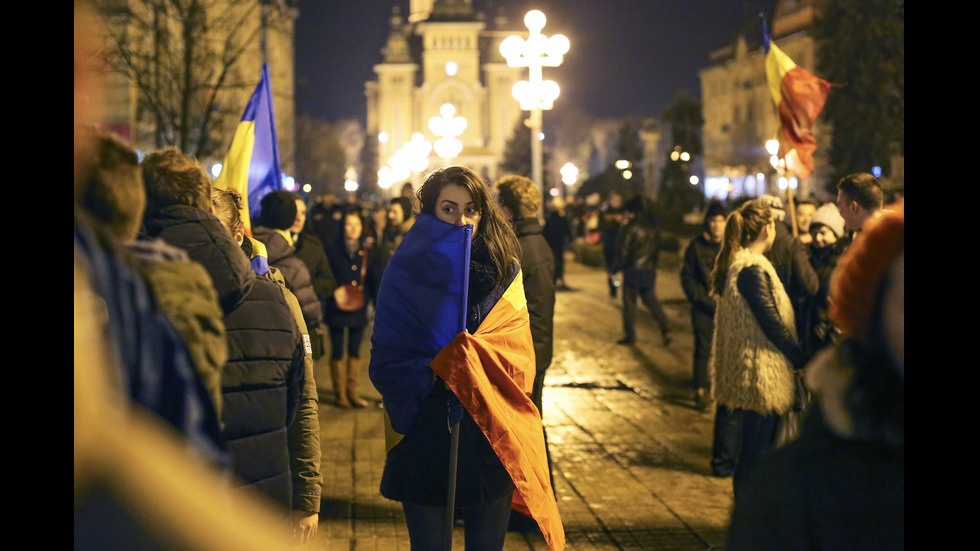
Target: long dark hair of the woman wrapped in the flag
pixel 493 228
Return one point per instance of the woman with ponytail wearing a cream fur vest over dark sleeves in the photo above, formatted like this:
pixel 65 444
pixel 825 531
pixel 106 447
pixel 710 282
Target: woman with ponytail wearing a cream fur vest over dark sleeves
pixel 755 349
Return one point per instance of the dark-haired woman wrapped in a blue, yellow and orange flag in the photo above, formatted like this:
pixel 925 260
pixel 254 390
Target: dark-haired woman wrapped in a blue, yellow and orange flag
pixel 452 344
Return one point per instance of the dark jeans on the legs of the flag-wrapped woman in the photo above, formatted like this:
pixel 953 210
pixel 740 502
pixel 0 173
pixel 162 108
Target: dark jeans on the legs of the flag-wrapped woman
pixel 485 527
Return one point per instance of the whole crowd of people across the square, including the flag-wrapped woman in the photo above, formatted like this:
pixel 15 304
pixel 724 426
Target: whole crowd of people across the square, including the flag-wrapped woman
pixel 197 324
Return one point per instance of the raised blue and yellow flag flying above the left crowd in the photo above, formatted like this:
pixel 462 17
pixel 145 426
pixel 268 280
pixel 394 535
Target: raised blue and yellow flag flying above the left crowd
pixel 251 166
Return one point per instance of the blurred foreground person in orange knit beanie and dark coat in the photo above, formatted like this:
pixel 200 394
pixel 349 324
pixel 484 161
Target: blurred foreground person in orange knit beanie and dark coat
pixel 841 485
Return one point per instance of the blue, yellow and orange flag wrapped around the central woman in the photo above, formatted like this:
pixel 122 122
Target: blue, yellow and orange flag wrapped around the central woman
pixel 419 334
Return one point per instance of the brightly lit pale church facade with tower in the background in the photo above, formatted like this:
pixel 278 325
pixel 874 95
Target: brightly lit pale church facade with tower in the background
pixel 444 53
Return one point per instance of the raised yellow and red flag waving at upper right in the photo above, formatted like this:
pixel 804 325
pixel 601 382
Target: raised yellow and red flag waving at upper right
pixel 799 97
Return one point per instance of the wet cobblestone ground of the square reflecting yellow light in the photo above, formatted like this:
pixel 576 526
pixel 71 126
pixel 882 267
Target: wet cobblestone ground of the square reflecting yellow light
pixel 630 450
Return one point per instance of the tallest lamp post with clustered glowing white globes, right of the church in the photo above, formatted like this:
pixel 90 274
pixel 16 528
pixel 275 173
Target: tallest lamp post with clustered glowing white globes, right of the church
pixel 535 94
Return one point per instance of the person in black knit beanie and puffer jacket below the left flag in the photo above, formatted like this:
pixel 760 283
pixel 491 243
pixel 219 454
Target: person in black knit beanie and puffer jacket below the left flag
pixel 278 216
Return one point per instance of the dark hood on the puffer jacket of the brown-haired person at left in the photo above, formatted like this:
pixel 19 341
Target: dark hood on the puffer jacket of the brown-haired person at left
pixel 206 241
